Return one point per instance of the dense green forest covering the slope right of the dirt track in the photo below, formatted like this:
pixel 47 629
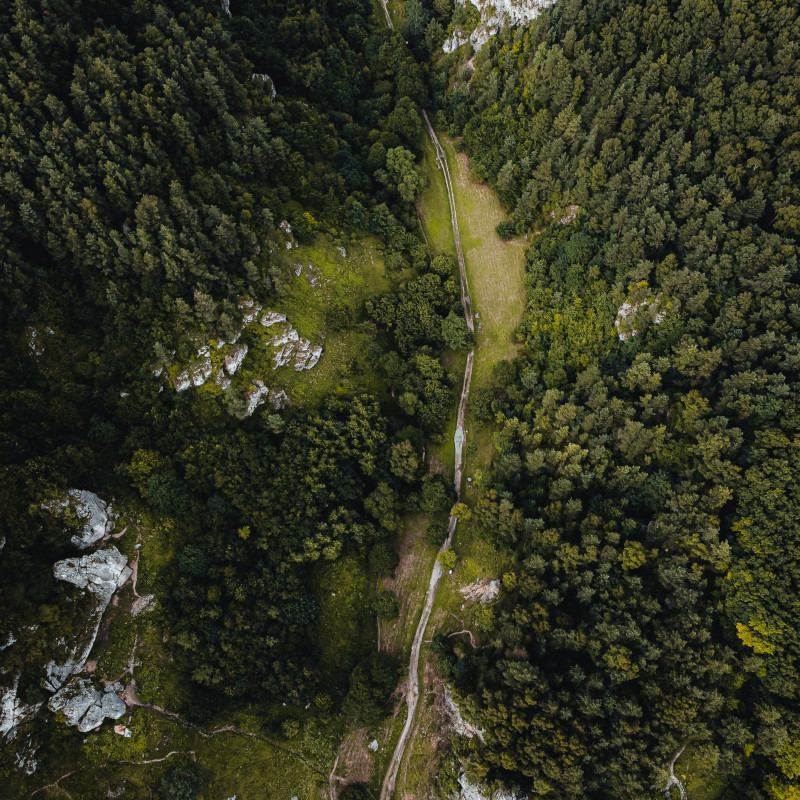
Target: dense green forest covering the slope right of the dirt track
pixel 645 438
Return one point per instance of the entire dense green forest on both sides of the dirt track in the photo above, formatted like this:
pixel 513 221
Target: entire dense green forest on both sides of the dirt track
pixel 645 439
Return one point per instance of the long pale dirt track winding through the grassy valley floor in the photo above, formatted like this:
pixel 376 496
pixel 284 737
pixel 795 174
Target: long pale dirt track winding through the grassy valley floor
pixel 412 693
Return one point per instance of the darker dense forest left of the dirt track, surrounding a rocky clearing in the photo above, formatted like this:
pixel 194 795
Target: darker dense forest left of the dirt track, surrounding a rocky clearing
pixel 148 161
